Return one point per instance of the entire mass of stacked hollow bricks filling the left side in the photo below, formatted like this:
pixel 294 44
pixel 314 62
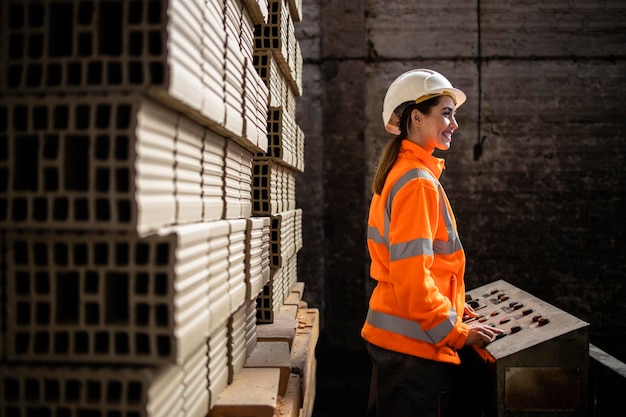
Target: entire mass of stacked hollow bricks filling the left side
pixel 141 242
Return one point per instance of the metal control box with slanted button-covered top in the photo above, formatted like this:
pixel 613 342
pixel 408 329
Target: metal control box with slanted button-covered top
pixel 540 366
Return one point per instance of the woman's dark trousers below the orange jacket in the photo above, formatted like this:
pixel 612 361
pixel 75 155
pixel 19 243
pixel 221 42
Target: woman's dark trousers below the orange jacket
pixel 408 386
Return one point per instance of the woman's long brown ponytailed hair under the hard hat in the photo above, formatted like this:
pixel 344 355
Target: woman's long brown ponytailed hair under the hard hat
pixel 390 151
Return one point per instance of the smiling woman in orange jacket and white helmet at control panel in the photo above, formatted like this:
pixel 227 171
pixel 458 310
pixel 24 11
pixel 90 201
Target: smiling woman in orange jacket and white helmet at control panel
pixel 414 325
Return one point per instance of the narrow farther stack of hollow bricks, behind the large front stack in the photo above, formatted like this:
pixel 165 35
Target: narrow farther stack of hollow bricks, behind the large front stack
pixel 278 60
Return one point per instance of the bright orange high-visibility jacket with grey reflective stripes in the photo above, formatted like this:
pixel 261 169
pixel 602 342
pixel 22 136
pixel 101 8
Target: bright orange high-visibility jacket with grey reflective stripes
pixel 417 258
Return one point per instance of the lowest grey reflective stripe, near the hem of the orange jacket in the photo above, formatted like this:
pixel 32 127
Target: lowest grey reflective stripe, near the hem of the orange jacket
pixel 411 328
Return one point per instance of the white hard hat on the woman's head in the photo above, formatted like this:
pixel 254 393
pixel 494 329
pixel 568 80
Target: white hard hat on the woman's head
pixel 416 85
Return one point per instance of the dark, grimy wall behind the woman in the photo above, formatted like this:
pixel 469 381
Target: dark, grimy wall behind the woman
pixel 536 171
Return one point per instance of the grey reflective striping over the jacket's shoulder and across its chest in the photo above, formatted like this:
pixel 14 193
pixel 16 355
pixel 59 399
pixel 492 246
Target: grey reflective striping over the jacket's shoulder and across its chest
pixel 418 246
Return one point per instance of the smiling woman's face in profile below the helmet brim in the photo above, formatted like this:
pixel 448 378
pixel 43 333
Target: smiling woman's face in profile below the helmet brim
pixel 435 129
